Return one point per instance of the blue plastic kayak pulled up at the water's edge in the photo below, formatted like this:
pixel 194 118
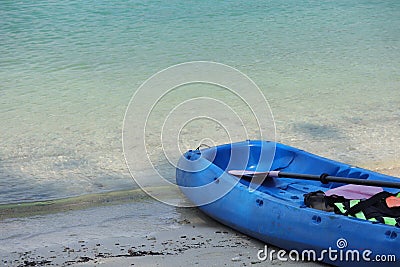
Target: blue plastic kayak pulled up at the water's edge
pixel 273 210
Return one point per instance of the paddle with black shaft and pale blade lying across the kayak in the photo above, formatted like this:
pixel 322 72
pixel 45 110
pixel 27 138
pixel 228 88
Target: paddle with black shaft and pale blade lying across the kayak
pixel 324 178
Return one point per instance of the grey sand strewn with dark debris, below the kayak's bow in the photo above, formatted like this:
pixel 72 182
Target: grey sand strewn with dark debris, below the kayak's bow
pixel 199 241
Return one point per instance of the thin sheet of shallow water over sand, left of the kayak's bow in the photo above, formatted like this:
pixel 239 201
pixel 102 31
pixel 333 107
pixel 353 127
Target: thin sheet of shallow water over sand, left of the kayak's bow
pixel 98 223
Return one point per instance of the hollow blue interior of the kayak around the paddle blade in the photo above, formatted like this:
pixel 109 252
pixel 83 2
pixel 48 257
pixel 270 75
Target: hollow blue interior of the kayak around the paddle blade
pixel 270 156
